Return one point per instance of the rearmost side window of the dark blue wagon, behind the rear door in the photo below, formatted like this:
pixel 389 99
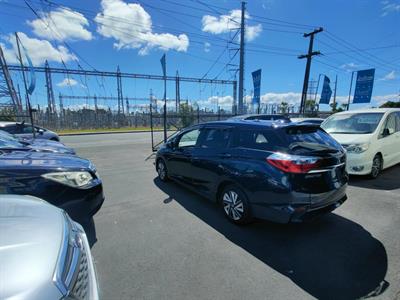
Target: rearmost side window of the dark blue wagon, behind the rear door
pixel 258 139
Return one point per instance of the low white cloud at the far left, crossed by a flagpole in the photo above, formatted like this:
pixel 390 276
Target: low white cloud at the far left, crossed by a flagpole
pixel 38 50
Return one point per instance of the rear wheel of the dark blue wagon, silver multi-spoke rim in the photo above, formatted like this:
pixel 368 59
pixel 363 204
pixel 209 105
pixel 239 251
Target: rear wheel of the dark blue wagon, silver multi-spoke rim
pixel 235 205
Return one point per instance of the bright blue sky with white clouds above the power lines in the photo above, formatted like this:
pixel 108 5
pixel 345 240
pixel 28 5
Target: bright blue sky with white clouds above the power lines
pixel 200 39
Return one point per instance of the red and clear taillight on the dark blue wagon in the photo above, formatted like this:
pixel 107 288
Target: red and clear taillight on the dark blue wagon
pixel 293 163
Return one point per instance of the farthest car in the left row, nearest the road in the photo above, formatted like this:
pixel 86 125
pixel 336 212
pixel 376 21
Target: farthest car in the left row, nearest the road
pixel 24 130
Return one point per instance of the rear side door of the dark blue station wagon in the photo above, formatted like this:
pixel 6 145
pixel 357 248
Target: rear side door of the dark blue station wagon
pixel 209 157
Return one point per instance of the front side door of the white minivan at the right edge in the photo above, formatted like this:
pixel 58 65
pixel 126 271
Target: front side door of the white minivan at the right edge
pixel 389 141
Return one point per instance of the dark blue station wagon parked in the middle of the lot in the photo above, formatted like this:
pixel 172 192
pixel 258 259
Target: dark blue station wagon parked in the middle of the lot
pixel 283 172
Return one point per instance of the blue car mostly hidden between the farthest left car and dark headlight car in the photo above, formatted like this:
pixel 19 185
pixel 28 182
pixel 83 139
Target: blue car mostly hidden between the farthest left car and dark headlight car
pixel 10 143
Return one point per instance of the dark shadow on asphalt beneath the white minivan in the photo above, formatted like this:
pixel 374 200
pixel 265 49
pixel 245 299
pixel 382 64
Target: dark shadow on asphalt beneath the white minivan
pixel 387 180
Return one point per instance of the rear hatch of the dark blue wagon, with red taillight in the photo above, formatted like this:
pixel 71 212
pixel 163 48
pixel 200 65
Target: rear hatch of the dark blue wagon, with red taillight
pixel 315 162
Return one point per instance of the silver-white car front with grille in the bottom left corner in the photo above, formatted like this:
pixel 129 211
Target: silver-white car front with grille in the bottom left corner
pixel 43 253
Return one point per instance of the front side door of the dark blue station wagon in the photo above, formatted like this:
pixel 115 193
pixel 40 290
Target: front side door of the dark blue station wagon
pixel 179 159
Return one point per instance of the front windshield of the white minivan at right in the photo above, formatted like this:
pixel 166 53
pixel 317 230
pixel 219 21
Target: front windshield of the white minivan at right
pixel 356 123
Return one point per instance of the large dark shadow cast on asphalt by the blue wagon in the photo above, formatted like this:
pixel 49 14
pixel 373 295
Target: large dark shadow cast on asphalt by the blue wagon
pixel 332 258
